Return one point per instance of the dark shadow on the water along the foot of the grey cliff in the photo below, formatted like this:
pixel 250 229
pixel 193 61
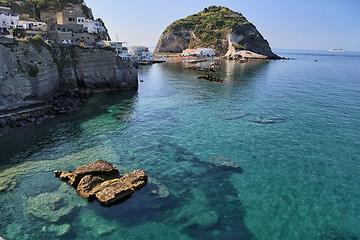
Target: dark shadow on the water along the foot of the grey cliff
pixel 63 128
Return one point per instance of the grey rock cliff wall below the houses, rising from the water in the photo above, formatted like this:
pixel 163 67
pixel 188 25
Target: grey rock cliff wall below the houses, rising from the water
pixel 33 73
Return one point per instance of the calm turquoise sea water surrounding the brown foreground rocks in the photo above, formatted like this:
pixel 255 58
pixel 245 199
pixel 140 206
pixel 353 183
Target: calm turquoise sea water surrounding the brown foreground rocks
pixel 273 152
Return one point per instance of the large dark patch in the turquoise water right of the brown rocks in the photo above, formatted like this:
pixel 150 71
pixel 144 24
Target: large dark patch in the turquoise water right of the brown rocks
pixel 203 202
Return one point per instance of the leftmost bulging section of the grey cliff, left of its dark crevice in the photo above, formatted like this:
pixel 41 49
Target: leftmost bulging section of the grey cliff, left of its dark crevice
pixel 27 73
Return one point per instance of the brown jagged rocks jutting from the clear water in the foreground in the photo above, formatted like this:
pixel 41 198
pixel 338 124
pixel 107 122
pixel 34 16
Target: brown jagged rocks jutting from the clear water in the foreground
pixel 102 180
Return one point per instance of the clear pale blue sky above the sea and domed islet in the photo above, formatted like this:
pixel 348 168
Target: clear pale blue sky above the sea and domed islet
pixel 286 24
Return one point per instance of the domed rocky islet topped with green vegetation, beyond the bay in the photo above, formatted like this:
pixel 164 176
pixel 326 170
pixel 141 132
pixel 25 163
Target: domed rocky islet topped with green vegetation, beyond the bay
pixel 220 28
